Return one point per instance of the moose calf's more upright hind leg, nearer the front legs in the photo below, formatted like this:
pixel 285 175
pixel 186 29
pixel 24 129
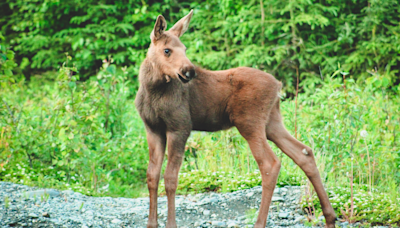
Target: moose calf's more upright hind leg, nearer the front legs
pixel 268 164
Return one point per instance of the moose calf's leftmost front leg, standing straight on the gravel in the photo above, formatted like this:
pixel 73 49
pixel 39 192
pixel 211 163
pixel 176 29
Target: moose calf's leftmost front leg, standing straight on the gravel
pixel 156 142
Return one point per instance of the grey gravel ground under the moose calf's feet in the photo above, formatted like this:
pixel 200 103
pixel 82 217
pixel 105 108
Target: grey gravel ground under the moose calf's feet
pixel 23 206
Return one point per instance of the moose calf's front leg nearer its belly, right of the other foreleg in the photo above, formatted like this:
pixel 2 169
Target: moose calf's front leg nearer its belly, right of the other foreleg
pixel 176 148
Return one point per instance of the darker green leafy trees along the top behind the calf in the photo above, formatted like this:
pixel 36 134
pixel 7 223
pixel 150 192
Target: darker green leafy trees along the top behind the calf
pixel 290 38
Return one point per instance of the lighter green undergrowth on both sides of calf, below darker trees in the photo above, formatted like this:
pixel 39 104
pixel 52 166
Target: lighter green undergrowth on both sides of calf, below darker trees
pixel 57 131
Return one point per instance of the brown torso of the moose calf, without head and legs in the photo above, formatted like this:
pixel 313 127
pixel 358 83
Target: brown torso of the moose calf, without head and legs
pixel 212 101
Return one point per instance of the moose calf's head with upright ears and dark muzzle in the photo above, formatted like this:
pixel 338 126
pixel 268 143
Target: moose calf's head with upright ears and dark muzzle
pixel 168 53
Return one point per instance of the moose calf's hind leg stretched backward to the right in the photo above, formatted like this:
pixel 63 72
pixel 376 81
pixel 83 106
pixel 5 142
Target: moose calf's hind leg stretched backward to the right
pixel 303 156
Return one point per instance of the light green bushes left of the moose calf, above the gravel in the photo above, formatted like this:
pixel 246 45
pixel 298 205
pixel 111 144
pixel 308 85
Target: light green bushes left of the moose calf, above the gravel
pixel 80 133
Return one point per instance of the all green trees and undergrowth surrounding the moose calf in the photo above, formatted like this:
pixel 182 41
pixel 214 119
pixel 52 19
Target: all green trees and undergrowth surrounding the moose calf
pixel 68 78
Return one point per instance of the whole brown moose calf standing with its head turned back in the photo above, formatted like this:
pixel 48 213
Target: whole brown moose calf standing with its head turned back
pixel 175 97
